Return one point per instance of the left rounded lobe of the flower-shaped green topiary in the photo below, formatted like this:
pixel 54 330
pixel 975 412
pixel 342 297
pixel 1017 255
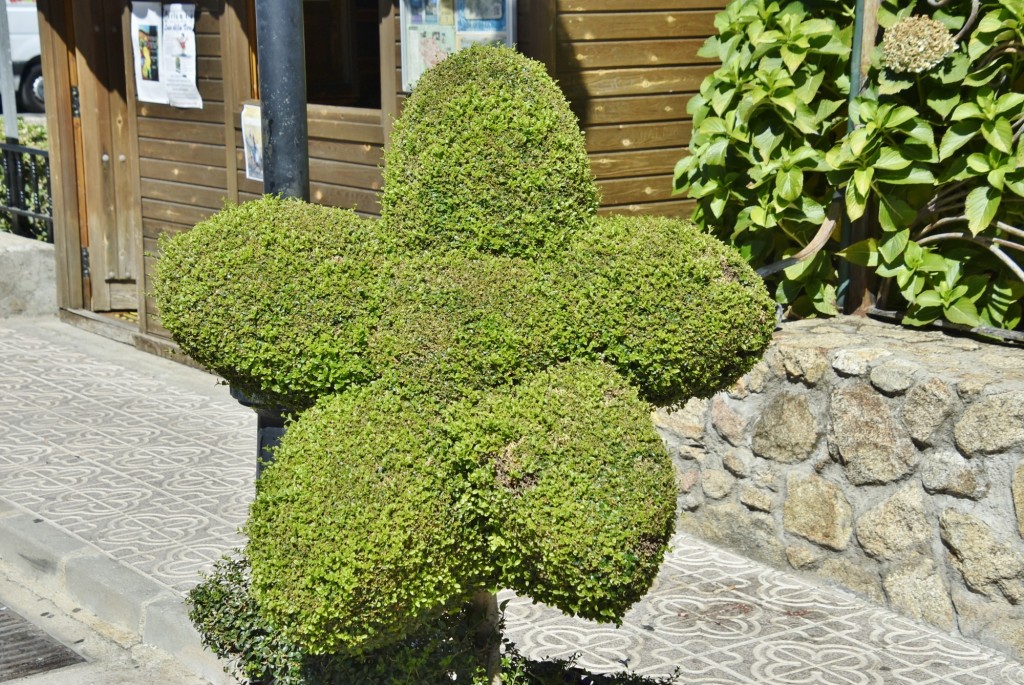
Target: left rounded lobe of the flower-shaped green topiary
pixel 277 296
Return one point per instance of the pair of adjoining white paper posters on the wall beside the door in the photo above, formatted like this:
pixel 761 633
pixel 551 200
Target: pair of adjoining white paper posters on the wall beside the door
pixel 164 48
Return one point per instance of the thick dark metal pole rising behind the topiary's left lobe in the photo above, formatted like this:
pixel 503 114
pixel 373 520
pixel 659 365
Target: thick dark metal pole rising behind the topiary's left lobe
pixel 281 50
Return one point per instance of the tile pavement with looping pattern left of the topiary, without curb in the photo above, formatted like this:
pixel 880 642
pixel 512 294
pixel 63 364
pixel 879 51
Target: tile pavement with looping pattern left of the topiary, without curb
pixel 159 478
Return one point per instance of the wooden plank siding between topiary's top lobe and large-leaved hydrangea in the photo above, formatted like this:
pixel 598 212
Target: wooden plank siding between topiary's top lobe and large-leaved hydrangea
pixel 629 68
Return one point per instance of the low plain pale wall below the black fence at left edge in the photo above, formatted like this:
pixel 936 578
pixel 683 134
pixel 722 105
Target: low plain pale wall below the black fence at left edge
pixel 28 277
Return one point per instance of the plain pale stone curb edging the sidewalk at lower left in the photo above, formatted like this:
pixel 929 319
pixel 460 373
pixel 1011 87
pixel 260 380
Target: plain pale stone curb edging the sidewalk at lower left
pixel 60 565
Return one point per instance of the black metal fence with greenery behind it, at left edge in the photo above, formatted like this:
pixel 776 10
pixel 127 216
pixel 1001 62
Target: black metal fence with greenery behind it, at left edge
pixel 26 205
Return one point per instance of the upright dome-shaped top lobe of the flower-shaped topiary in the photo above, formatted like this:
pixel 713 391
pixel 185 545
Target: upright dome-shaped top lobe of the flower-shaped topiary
pixel 488 157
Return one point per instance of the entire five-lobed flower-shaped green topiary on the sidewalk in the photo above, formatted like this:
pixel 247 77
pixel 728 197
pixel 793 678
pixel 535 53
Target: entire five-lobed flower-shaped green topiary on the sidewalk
pixel 491 424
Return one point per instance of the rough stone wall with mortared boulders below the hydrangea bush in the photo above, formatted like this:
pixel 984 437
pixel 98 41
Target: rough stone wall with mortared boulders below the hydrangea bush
pixel 886 460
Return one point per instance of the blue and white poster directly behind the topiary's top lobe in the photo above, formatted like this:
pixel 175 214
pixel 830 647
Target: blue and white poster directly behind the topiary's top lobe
pixel 432 30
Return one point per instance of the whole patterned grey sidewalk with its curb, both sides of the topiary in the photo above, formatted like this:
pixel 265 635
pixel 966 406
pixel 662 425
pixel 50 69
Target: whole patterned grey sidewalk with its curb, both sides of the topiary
pixel 124 476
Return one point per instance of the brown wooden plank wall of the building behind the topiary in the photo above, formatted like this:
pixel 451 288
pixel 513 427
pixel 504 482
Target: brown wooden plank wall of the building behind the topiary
pixel 628 67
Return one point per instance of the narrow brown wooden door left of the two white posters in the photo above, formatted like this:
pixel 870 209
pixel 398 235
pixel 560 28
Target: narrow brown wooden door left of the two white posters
pixel 105 158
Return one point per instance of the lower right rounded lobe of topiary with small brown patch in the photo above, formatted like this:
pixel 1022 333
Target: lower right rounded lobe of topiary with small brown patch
pixel 584 491
